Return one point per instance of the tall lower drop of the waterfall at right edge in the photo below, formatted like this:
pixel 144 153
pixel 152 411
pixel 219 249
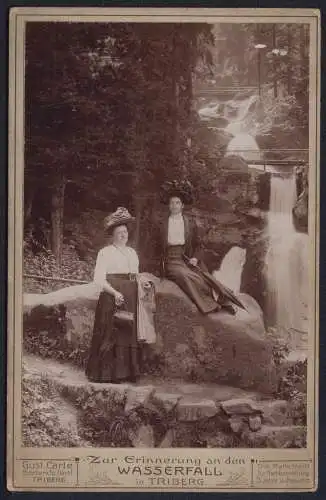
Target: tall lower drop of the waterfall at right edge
pixel 286 259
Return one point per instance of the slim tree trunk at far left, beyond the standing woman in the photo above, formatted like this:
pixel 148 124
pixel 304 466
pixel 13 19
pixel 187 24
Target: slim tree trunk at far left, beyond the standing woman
pixel 57 209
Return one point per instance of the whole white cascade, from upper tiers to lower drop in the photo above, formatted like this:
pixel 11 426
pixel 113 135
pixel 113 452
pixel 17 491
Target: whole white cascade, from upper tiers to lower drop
pixel 286 264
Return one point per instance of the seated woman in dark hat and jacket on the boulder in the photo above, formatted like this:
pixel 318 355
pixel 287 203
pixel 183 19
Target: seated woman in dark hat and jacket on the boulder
pixel 179 246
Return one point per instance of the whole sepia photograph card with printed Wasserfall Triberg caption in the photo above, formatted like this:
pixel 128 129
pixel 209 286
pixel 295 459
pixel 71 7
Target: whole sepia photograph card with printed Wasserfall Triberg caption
pixel 168 241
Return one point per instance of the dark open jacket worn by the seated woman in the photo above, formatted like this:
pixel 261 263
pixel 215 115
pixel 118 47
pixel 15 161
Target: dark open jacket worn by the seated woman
pixel 192 240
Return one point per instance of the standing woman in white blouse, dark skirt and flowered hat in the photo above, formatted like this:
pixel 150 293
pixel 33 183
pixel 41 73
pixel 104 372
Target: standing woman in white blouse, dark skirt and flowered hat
pixel 113 352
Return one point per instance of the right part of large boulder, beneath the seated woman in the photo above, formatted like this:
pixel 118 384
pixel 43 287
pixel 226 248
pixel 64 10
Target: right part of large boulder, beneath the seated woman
pixel 217 347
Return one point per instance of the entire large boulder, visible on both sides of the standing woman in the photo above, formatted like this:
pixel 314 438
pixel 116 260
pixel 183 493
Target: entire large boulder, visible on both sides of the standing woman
pixel 217 347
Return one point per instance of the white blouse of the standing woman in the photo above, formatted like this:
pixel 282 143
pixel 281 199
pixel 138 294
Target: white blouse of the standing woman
pixel 115 260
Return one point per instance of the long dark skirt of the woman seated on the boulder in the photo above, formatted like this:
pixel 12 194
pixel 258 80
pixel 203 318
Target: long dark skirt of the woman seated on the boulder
pixel 191 282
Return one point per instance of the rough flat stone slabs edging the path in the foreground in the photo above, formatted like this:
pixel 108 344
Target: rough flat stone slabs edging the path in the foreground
pixel 162 414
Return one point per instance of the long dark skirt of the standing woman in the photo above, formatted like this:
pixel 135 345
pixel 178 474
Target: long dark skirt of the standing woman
pixel 113 352
